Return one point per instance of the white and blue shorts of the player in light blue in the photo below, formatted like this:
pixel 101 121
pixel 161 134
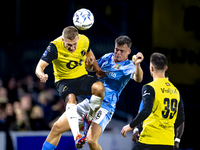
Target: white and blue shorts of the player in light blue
pixel 102 117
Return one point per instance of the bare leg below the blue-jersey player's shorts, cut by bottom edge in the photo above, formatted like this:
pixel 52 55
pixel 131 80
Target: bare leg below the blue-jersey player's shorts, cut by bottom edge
pixel 93 135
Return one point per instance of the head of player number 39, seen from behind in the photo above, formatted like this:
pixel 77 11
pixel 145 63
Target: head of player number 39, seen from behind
pixel 158 63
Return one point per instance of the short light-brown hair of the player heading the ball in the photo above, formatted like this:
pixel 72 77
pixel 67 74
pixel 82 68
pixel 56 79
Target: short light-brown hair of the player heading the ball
pixel 69 32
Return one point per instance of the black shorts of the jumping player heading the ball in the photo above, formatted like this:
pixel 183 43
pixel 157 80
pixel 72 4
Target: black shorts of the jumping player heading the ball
pixel 77 86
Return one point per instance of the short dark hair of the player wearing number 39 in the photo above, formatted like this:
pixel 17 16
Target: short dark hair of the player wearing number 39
pixel 159 61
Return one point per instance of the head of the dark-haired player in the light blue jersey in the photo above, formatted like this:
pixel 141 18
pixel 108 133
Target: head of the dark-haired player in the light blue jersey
pixel 122 48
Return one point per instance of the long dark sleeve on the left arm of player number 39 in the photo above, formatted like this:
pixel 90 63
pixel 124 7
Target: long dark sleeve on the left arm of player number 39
pixel 148 96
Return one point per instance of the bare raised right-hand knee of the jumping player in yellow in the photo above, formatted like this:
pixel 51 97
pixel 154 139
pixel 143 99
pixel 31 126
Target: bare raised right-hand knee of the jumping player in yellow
pixel 98 89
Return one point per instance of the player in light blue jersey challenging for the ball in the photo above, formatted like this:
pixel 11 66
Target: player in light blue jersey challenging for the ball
pixel 118 70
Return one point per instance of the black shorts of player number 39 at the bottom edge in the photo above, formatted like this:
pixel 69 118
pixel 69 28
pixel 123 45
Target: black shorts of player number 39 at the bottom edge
pixel 141 146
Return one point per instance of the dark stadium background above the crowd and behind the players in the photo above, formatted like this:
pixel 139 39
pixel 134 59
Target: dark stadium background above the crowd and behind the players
pixel 167 26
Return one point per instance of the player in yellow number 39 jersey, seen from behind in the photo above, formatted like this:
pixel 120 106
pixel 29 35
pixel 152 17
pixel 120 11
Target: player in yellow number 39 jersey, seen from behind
pixel 161 108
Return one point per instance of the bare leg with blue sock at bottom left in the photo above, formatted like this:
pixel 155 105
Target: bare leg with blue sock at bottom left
pixel 60 126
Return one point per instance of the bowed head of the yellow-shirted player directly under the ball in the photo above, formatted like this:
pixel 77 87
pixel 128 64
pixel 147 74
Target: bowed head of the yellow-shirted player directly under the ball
pixel 70 38
